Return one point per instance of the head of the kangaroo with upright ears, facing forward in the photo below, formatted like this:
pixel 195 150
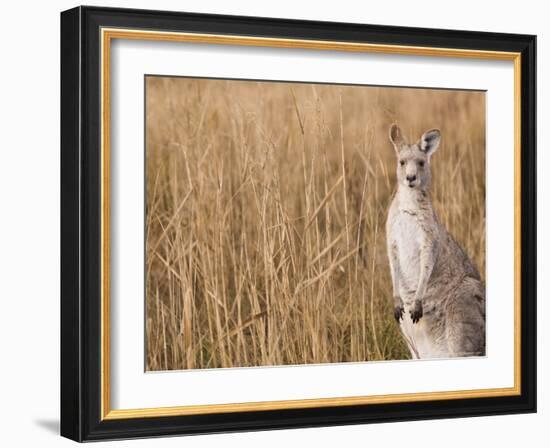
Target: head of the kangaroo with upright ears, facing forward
pixel 413 161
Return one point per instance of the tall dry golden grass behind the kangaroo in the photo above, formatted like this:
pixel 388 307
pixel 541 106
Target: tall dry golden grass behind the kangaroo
pixel 266 207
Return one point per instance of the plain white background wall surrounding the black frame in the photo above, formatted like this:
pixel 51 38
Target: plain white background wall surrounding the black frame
pixel 29 219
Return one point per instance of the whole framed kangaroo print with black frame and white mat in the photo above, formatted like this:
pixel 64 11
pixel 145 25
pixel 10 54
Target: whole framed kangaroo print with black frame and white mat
pixel 273 223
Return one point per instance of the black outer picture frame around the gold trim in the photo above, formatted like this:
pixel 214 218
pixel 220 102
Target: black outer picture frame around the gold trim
pixel 81 224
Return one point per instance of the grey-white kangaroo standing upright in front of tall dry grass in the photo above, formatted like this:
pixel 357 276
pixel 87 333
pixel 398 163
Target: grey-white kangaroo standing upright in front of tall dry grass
pixel 439 298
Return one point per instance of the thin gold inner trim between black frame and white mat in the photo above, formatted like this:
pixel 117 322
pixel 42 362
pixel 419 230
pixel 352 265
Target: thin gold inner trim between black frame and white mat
pixel 107 35
